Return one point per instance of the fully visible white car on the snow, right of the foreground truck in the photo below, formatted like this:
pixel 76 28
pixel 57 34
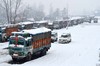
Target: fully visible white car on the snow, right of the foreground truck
pixel 65 38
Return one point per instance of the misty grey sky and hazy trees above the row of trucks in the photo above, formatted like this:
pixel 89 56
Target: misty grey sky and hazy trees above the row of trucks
pixel 14 11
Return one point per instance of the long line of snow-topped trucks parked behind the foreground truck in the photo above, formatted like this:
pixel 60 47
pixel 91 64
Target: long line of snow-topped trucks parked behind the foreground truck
pixel 5 31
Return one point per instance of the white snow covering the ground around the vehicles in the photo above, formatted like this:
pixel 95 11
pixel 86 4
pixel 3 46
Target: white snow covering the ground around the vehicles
pixel 82 51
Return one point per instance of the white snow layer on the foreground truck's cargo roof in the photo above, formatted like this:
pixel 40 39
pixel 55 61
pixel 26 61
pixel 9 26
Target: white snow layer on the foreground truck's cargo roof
pixel 38 30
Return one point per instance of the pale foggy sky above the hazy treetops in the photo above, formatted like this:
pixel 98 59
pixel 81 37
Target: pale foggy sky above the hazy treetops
pixel 74 6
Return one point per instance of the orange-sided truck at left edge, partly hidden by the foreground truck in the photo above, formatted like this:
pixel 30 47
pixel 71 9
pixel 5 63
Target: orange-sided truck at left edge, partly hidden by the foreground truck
pixel 6 30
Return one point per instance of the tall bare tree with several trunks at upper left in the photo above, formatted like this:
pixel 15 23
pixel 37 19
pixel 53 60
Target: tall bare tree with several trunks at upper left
pixel 11 9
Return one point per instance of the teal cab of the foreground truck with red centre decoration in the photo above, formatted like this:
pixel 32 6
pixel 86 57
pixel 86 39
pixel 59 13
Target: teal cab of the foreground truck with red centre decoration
pixel 19 45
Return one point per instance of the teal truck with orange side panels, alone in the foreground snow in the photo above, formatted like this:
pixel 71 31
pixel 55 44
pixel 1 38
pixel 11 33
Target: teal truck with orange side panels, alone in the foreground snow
pixel 26 43
